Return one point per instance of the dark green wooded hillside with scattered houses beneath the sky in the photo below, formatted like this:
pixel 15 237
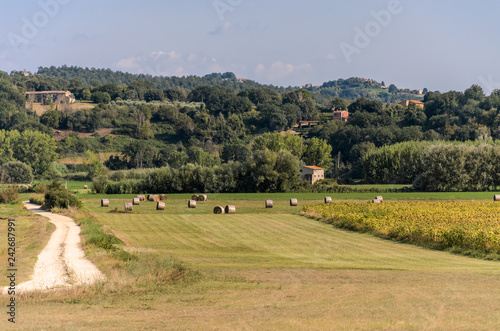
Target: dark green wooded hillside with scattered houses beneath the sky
pixel 216 119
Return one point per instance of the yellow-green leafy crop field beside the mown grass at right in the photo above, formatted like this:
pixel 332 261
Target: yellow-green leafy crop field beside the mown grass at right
pixel 461 226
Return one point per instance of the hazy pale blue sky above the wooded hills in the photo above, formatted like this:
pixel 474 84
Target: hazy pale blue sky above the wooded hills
pixel 441 45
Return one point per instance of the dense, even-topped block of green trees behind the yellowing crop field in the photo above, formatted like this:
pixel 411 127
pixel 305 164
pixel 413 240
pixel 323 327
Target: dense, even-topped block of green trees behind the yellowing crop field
pixel 436 166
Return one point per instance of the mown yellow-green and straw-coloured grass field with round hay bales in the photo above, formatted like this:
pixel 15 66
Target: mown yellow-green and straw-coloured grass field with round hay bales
pixel 268 269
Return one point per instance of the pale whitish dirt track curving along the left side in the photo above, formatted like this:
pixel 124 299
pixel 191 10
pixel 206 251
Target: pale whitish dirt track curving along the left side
pixel 62 262
